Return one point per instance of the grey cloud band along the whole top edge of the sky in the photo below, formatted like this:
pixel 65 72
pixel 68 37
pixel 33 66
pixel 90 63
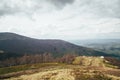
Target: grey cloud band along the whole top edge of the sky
pixel 101 8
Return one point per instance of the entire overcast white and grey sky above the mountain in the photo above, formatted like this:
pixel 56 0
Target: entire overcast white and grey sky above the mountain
pixel 61 19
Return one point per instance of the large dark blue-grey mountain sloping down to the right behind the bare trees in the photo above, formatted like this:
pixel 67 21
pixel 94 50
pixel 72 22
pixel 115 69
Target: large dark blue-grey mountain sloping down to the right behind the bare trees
pixel 12 45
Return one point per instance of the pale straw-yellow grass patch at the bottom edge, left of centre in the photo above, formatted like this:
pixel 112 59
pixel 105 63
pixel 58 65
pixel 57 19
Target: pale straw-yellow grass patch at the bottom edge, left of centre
pixel 61 74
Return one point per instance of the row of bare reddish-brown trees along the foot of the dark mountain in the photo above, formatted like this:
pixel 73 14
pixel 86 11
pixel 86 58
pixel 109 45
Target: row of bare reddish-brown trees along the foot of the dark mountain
pixel 37 58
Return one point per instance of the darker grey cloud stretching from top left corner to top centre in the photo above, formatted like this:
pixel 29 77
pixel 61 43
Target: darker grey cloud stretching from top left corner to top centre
pixel 12 7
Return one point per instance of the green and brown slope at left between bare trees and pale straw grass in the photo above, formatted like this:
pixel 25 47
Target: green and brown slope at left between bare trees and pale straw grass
pixel 27 69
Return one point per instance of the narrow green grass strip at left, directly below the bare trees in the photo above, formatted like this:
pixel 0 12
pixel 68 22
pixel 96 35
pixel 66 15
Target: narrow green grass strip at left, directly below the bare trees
pixel 26 67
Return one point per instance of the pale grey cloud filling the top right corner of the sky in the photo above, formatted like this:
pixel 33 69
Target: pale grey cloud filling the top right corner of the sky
pixel 102 8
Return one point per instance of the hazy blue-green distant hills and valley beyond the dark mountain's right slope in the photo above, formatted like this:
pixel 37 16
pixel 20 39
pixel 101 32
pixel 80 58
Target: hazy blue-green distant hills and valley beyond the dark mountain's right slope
pixel 109 46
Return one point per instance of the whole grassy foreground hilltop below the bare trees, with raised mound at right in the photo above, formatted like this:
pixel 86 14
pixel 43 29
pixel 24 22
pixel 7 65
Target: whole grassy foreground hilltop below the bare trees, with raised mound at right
pixel 87 68
